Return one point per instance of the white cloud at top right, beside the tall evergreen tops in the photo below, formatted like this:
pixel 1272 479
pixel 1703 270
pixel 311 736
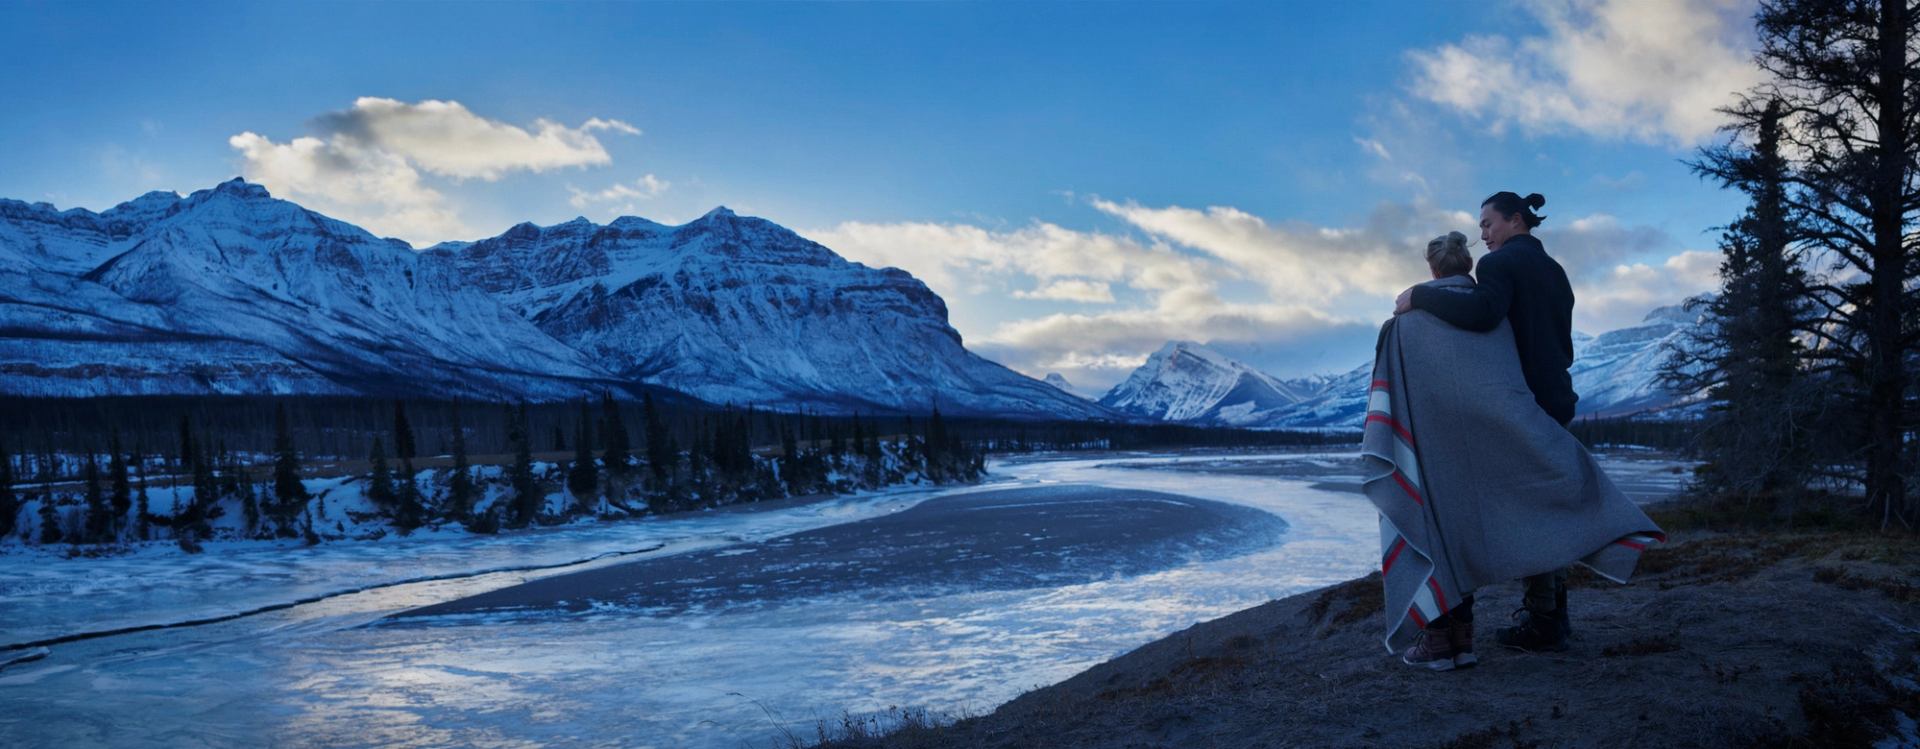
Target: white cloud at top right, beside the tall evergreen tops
pixel 1616 68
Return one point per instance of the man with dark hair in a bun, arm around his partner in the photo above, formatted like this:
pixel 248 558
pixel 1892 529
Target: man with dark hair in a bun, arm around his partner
pixel 1522 285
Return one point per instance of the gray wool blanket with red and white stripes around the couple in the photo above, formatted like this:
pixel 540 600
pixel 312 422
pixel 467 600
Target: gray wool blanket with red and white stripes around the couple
pixel 1474 481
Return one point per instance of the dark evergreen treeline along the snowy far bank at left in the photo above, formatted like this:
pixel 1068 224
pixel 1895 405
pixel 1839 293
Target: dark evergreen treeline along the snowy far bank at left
pixel 600 468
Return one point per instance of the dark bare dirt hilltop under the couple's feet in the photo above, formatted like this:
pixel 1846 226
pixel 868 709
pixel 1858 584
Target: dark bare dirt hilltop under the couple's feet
pixel 1723 640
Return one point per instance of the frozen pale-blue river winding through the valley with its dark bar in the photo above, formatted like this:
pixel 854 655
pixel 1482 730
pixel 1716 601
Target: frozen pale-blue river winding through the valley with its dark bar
pixel 723 629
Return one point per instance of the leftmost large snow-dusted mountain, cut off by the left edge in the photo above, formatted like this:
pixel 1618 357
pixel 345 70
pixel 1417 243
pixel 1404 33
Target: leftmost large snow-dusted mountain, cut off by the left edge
pixel 231 291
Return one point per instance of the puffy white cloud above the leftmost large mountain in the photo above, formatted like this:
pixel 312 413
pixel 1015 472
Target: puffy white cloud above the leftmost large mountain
pixel 366 164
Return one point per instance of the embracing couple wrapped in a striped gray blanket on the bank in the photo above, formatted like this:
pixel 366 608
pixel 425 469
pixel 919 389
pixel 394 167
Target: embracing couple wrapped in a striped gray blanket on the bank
pixel 1472 466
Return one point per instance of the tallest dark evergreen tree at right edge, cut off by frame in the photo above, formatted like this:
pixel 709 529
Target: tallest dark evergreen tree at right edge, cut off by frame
pixel 1844 76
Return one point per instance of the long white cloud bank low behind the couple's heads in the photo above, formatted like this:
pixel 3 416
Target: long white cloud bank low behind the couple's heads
pixel 1320 293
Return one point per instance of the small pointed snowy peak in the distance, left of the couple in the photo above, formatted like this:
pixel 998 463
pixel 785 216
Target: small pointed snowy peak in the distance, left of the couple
pixel 1191 383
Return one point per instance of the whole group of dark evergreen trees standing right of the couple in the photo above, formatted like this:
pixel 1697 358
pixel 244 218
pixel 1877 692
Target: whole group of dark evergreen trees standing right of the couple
pixel 1810 350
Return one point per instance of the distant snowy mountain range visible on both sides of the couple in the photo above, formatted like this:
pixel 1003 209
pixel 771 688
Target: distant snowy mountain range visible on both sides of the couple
pixel 1616 374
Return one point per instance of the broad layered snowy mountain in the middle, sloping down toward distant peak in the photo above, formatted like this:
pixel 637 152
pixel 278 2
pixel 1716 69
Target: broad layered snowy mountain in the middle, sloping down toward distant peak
pixel 742 310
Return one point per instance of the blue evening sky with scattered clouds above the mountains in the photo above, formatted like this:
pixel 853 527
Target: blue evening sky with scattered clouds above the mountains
pixel 1080 181
